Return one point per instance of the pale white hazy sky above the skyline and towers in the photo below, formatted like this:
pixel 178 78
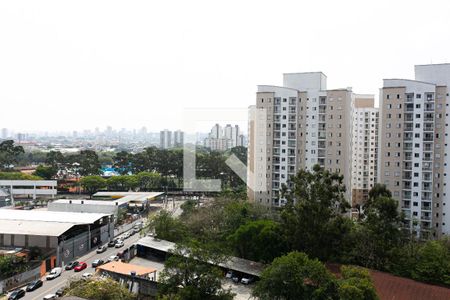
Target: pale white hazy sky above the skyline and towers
pixel 80 64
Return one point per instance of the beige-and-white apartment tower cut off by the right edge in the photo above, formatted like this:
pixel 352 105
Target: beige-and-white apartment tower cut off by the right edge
pixel 414 147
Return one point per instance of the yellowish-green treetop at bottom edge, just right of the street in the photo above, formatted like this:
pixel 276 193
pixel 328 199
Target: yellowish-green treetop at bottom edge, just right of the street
pixel 98 289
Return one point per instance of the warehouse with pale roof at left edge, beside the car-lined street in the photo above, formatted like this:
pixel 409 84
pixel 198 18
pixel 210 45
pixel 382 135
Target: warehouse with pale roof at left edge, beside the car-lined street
pixel 64 235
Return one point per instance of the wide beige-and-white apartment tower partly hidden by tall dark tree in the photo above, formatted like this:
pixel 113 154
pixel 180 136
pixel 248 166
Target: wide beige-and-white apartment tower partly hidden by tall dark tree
pixel 304 124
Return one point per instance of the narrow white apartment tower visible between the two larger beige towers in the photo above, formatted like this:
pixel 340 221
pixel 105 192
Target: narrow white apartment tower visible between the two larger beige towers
pixel 364 148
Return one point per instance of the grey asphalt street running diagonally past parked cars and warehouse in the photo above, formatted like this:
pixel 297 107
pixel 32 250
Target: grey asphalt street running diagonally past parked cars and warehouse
pixel 51 286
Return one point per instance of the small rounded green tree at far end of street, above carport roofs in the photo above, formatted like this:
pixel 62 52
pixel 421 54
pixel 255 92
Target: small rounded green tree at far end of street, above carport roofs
pixel 166 227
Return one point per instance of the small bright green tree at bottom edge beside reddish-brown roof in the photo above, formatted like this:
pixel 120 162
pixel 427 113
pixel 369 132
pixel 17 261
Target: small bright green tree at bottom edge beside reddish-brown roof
pixel 356 284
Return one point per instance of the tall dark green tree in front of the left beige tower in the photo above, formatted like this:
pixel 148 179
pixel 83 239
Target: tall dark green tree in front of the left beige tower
pixel 312 219
